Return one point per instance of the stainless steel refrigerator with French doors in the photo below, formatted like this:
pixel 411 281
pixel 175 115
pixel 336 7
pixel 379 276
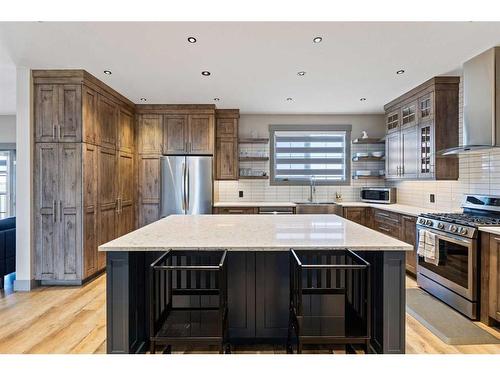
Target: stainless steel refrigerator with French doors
pixel 186 185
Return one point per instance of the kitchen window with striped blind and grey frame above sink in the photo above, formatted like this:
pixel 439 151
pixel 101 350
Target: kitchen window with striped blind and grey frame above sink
pixel 304 153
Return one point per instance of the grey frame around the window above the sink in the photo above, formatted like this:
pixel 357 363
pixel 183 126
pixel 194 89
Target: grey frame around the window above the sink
pixel 304 127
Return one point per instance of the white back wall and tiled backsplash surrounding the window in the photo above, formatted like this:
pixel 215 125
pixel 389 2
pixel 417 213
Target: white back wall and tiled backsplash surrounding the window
pixel 261 190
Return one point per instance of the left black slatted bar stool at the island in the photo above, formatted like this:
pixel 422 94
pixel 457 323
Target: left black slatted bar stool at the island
pixel 188 299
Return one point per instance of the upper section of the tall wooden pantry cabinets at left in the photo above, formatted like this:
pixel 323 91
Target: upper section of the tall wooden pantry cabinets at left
pixel 73 106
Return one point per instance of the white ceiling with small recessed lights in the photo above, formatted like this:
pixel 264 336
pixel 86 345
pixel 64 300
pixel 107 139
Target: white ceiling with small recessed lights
pixel 254 65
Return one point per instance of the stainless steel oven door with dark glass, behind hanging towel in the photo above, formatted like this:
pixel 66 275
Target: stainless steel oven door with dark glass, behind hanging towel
pixel 457 267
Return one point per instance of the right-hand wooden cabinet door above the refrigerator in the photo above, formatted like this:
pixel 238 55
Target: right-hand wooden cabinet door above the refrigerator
pixel 201 134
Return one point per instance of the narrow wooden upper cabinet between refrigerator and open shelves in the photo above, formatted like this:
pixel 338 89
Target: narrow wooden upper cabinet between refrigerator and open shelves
pixel 226 151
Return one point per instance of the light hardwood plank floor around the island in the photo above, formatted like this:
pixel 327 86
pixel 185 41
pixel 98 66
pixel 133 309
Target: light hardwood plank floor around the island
pixel 73 320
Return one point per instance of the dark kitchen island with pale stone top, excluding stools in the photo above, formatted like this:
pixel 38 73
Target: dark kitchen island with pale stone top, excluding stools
pixel 258 273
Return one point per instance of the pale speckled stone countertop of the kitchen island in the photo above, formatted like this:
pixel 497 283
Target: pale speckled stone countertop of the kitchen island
pixel 253 233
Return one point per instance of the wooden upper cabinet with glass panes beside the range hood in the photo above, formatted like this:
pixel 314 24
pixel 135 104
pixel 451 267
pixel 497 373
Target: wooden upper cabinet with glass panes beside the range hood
pixel 420 123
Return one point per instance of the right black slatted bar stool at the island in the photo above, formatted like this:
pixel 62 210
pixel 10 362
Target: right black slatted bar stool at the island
pixel 330 299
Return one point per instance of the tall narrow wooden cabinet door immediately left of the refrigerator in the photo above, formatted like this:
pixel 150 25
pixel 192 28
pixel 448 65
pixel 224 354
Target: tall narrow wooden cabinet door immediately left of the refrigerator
pixel 149 189
